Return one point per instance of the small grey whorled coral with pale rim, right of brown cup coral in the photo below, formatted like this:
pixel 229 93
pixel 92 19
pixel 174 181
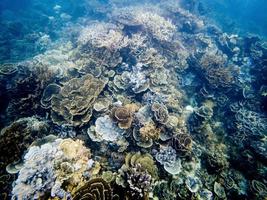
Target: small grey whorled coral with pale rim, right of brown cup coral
pixel 160 112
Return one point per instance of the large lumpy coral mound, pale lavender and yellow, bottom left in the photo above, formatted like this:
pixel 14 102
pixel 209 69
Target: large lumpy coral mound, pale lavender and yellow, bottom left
pixel 48 167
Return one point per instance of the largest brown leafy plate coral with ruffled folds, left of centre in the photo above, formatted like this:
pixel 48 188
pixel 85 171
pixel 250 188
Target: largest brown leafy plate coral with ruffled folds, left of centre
pixel 74 103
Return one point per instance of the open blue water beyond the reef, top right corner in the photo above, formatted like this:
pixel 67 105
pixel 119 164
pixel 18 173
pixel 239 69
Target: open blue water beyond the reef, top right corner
pixel 239 16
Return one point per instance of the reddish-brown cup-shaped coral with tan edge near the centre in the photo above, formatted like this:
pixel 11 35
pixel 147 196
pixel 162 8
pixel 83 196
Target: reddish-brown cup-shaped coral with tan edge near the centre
pixel 124 115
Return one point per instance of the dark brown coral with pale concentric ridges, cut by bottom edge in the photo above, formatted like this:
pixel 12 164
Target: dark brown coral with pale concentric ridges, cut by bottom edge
pixel 95 189
